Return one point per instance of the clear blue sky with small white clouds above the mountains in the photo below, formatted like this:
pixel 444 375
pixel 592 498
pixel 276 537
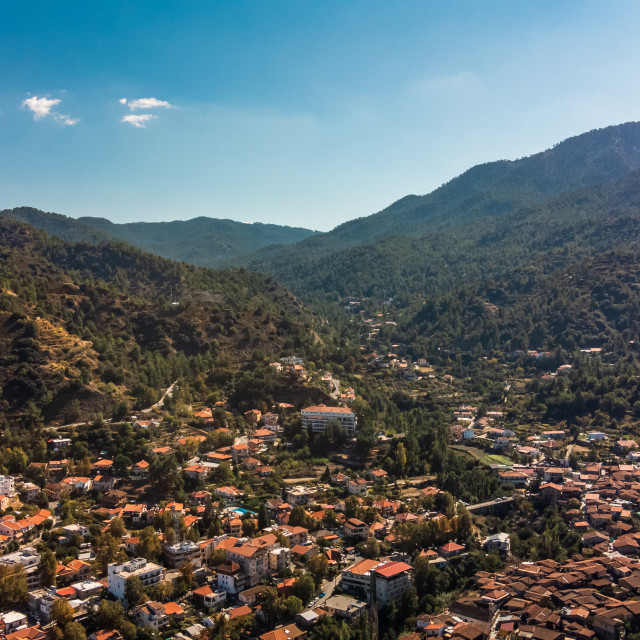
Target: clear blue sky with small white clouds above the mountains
pixel 293 112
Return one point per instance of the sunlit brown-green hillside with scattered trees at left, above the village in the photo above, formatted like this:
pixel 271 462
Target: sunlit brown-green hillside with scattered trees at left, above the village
pixel 87 328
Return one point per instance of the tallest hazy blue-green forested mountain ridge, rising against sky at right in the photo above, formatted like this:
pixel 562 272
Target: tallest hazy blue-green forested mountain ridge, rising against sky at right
pixel 382 253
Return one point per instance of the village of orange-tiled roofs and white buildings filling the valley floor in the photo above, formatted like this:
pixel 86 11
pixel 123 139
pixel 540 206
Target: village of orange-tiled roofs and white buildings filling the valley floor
pixel 96 545
